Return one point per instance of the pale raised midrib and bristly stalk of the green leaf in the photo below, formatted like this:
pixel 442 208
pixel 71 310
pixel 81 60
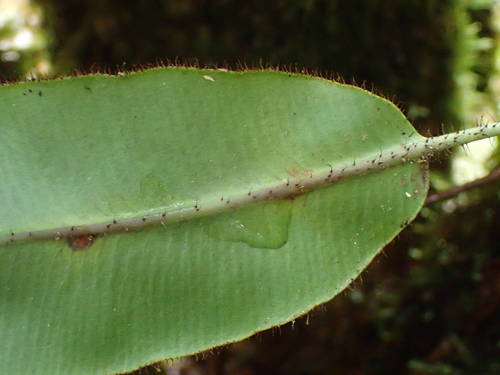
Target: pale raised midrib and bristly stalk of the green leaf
pixel 414 150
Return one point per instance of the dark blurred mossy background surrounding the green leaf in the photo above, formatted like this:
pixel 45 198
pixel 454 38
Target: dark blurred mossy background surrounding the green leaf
pixel 430 304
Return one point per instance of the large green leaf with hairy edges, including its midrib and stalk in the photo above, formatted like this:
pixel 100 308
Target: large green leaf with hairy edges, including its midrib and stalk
pixel 260 179
